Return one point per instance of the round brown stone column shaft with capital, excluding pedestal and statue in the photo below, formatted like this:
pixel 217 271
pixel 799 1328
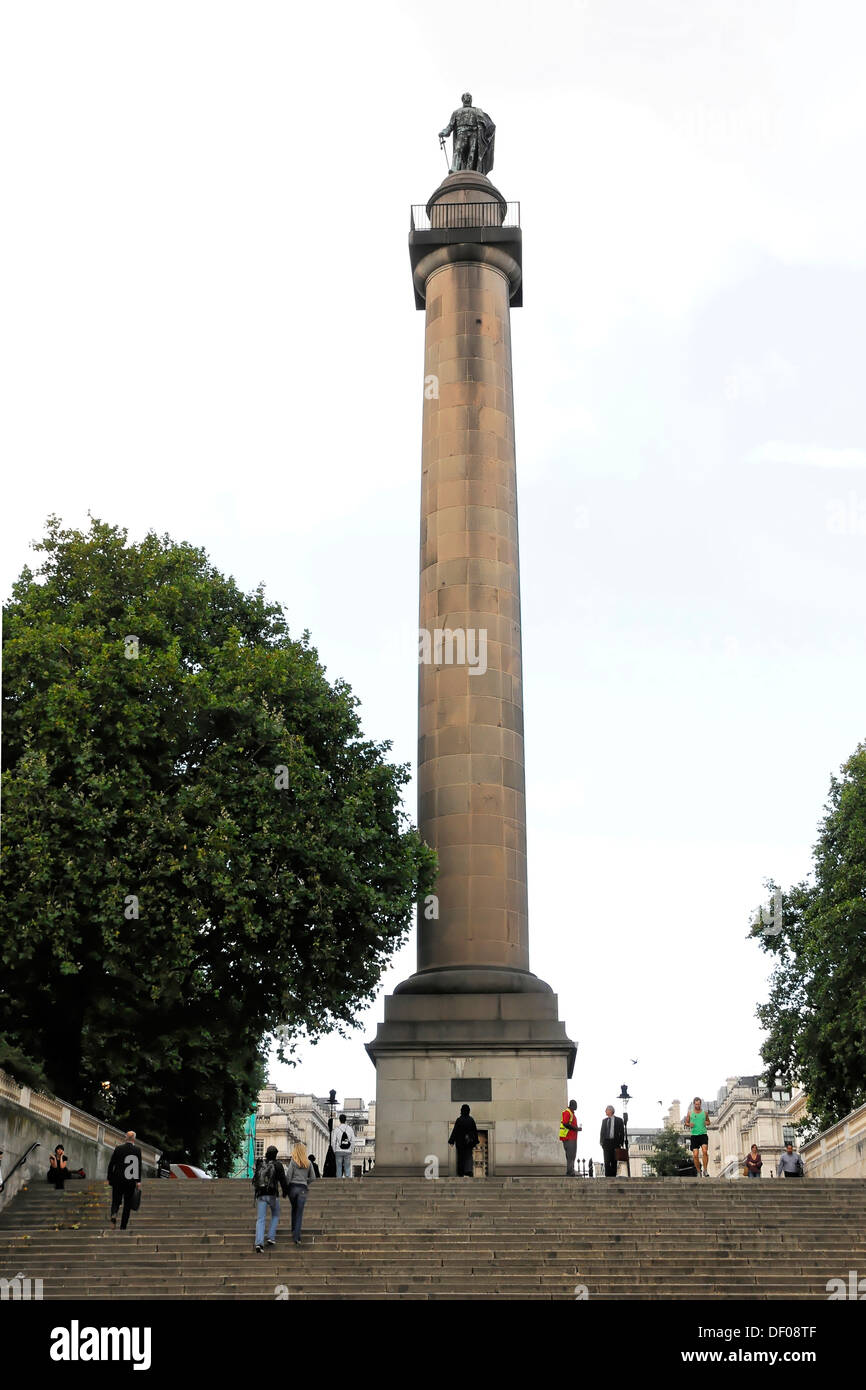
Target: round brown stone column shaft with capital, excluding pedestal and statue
pixel 472 800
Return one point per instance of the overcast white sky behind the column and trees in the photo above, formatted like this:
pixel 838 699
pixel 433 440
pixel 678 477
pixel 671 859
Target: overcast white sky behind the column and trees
pixel 209 330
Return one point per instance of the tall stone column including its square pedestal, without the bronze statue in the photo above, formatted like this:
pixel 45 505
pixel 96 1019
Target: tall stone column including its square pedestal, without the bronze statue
pixel 473 1024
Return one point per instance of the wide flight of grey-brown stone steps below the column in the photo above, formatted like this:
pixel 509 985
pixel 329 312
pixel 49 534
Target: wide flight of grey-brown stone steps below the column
pixel 501 1238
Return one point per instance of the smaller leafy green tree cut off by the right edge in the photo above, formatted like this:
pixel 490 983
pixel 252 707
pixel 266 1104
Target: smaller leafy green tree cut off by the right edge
pixel 817 1013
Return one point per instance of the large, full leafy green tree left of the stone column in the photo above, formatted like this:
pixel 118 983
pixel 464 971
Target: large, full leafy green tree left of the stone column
pixel 201 849
